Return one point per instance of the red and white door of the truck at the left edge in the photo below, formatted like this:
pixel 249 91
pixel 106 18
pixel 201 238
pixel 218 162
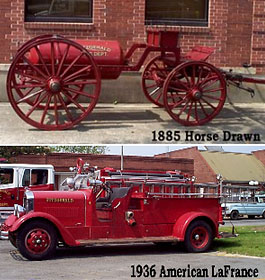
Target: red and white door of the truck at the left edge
pixel 8 187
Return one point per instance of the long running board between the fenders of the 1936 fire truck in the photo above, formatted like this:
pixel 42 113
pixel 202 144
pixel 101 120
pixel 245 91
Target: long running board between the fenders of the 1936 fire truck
pixel 127 240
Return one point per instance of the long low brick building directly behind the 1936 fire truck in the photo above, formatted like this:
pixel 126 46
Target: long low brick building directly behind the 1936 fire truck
pixel 62 162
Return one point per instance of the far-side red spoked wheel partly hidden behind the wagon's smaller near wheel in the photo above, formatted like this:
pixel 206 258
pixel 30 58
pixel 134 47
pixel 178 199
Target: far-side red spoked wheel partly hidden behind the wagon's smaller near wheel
pixel 153 78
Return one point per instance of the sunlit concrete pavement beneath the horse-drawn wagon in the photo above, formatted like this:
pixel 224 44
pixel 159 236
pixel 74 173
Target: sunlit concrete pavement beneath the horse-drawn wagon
pixel 139 123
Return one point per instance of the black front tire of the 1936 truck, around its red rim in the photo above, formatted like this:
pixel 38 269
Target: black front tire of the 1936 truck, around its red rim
pixel 23 233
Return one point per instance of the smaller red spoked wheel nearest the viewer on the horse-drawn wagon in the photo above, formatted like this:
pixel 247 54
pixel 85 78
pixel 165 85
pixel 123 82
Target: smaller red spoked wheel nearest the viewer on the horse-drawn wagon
pixel 194 93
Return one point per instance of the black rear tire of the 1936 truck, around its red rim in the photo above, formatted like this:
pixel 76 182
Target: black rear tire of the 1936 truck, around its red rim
pixel 189 230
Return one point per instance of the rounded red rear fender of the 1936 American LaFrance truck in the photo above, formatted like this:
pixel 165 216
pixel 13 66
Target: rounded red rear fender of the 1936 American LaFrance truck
pixel 184 221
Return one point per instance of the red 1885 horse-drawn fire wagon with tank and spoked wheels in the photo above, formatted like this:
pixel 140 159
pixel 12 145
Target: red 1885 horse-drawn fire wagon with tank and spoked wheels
pixel 54 83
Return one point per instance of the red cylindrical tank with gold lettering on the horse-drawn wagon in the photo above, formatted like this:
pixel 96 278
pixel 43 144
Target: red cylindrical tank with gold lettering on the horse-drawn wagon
pixel 107 53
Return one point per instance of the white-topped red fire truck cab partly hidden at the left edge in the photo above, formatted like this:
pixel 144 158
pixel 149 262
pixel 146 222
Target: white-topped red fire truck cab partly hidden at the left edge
pixel 15 178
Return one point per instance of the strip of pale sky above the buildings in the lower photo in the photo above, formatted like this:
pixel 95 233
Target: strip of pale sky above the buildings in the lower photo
pixel 150 150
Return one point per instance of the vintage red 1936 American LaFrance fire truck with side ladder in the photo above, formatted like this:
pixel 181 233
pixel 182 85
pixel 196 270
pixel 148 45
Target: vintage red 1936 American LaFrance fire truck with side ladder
pixel 112 207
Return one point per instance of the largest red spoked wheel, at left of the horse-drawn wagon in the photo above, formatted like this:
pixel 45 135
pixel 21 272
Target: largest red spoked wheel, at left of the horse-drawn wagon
pixel 57 104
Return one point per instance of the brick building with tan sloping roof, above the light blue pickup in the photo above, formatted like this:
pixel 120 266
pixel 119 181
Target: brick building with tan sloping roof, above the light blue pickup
pixel 235 168
